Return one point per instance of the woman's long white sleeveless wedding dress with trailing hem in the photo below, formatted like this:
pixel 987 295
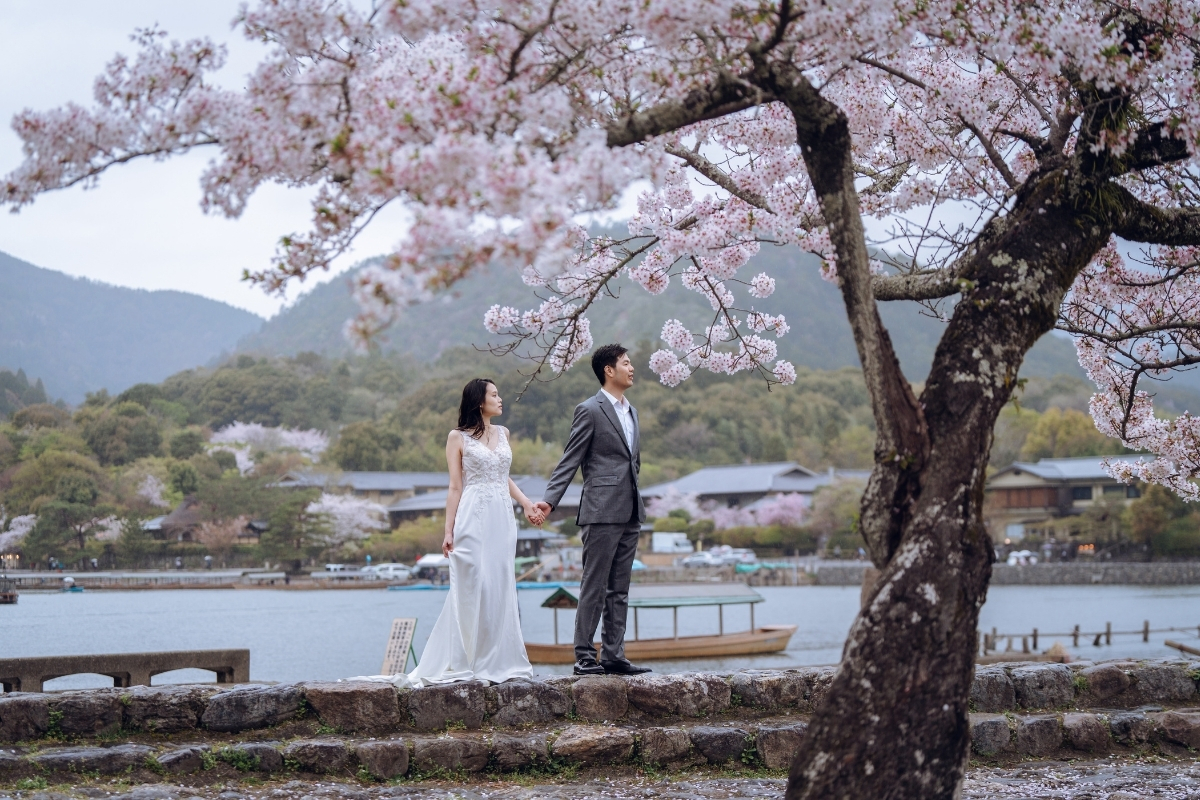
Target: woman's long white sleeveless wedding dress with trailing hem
pixel 478 635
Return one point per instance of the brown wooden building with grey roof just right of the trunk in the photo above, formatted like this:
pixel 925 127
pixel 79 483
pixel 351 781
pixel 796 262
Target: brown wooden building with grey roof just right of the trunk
pixel 1047 498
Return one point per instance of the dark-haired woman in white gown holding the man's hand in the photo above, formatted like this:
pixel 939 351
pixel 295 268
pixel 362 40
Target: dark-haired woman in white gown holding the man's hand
pixel 478 635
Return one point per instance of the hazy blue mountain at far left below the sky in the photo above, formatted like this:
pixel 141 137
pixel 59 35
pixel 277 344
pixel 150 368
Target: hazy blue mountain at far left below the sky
pixel 80 336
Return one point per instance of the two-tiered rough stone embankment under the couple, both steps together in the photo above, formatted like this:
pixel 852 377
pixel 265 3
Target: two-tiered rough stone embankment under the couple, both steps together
pixel 375 732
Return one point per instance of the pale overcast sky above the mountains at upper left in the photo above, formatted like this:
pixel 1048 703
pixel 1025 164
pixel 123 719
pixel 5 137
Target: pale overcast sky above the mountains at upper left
pixel 143 226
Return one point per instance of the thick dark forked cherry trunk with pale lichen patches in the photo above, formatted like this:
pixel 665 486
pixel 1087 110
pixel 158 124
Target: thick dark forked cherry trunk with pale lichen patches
pixel 895 723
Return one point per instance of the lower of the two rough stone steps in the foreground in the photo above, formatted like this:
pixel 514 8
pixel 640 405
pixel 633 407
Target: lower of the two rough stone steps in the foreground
pixel 770 745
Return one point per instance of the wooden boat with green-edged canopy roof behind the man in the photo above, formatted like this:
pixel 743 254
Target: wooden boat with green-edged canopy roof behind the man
pixel 769 639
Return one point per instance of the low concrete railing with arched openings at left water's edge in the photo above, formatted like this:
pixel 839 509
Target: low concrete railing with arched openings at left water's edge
pixel 125 669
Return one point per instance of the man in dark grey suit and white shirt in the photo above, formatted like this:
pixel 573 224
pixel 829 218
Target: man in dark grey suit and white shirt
pixel 604 443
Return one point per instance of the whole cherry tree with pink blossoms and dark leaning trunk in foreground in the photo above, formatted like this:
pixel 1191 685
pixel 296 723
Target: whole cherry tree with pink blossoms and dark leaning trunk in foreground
pixel 1063 125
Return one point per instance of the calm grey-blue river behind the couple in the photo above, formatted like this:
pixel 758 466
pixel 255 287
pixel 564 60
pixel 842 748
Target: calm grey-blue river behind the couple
pixel 296 635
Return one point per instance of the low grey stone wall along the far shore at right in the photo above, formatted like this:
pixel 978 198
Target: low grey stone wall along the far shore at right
pixel 1157 574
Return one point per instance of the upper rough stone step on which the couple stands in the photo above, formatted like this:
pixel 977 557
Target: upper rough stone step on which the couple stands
pixel 375 708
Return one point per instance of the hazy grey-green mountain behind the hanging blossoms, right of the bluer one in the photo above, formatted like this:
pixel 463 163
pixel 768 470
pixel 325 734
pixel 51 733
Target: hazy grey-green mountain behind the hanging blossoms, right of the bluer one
pixel 820 335
